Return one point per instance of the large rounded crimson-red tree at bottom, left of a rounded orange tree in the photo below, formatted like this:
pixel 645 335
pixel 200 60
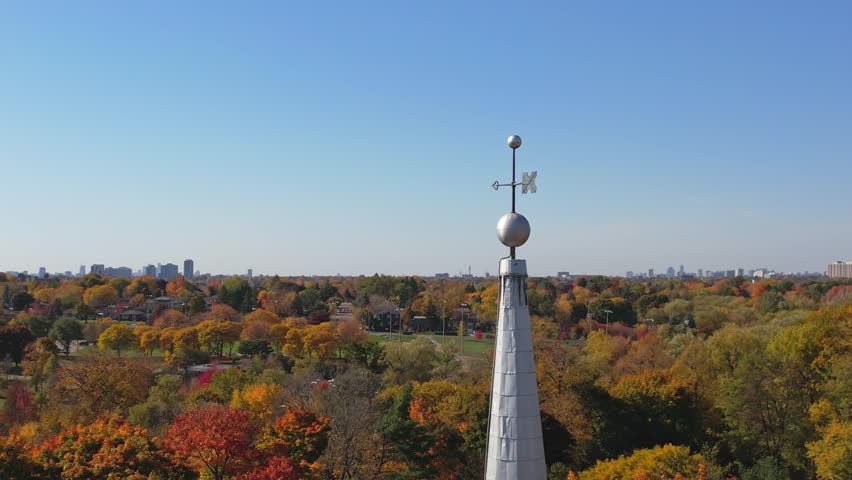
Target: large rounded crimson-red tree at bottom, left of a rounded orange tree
pixel 216 440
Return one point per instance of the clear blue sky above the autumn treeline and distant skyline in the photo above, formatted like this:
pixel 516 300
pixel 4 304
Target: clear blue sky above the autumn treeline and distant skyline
pixel 316 138
